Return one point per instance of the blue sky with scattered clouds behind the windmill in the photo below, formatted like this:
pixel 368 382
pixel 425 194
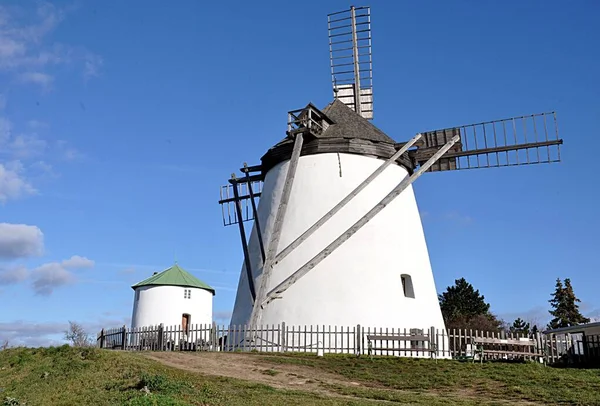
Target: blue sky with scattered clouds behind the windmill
pixel 119 122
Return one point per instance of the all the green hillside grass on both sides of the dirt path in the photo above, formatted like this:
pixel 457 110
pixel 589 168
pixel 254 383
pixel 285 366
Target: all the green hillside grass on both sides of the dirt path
pixel 71 376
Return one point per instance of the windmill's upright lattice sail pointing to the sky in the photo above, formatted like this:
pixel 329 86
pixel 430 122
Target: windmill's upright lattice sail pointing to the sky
pixel 350 58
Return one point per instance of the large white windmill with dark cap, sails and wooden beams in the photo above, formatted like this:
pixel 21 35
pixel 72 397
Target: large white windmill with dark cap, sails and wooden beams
pixel 337 237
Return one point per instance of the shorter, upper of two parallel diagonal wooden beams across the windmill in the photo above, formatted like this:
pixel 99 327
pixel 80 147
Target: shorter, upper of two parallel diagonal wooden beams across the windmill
pixel 292 246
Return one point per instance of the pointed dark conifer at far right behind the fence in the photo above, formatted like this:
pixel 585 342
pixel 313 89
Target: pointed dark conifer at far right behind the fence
pixel 566 310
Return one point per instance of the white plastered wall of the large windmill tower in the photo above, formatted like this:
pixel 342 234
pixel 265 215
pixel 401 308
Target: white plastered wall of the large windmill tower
pixel 360 282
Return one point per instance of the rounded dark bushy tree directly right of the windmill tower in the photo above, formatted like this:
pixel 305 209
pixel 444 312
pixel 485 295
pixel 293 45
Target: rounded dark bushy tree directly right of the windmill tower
pixel 463 307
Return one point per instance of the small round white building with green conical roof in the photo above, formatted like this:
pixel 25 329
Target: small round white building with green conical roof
pixel 172 297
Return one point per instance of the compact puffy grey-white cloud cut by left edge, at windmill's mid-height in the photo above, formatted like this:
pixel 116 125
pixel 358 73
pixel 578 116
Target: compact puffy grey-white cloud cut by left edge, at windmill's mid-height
pixel 20 241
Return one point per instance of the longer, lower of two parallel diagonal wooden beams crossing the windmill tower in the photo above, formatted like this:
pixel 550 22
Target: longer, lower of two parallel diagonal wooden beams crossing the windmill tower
pixel 289 281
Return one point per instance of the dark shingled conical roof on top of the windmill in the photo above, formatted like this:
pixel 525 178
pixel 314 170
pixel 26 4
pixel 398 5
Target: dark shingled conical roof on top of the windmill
pixel 349 124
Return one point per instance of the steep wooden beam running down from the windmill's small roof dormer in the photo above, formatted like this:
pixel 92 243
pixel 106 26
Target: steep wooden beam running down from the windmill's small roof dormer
pixel 275 236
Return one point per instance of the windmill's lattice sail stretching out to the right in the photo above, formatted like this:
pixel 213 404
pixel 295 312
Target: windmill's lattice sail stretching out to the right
pixel 522 140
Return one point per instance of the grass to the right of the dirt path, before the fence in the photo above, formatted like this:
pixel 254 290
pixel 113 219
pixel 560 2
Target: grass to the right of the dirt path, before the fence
pixel 457 381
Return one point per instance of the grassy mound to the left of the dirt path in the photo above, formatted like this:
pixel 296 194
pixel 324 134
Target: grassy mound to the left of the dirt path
pixel 70 376
